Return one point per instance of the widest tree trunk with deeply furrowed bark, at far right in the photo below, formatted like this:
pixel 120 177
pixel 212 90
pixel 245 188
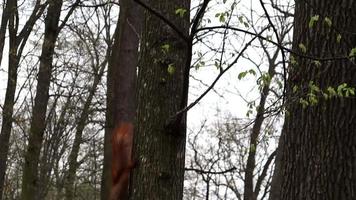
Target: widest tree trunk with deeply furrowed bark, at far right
pixel 316 157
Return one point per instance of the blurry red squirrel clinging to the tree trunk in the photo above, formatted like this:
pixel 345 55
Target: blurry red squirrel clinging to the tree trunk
pixel 122 163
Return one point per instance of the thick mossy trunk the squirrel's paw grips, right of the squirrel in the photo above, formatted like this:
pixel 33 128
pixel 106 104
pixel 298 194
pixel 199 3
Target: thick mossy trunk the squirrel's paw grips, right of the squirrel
pixel 160 155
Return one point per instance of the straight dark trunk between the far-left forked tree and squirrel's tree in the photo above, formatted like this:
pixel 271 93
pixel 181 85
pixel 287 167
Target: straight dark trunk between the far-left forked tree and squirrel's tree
pixel 38 121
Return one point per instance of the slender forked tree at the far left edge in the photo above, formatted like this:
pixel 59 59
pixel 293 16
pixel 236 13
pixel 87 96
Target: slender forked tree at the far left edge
pixel 17 42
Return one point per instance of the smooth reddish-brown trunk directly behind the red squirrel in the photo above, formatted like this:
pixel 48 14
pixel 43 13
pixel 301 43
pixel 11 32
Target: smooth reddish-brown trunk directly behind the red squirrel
pixel 121 100
